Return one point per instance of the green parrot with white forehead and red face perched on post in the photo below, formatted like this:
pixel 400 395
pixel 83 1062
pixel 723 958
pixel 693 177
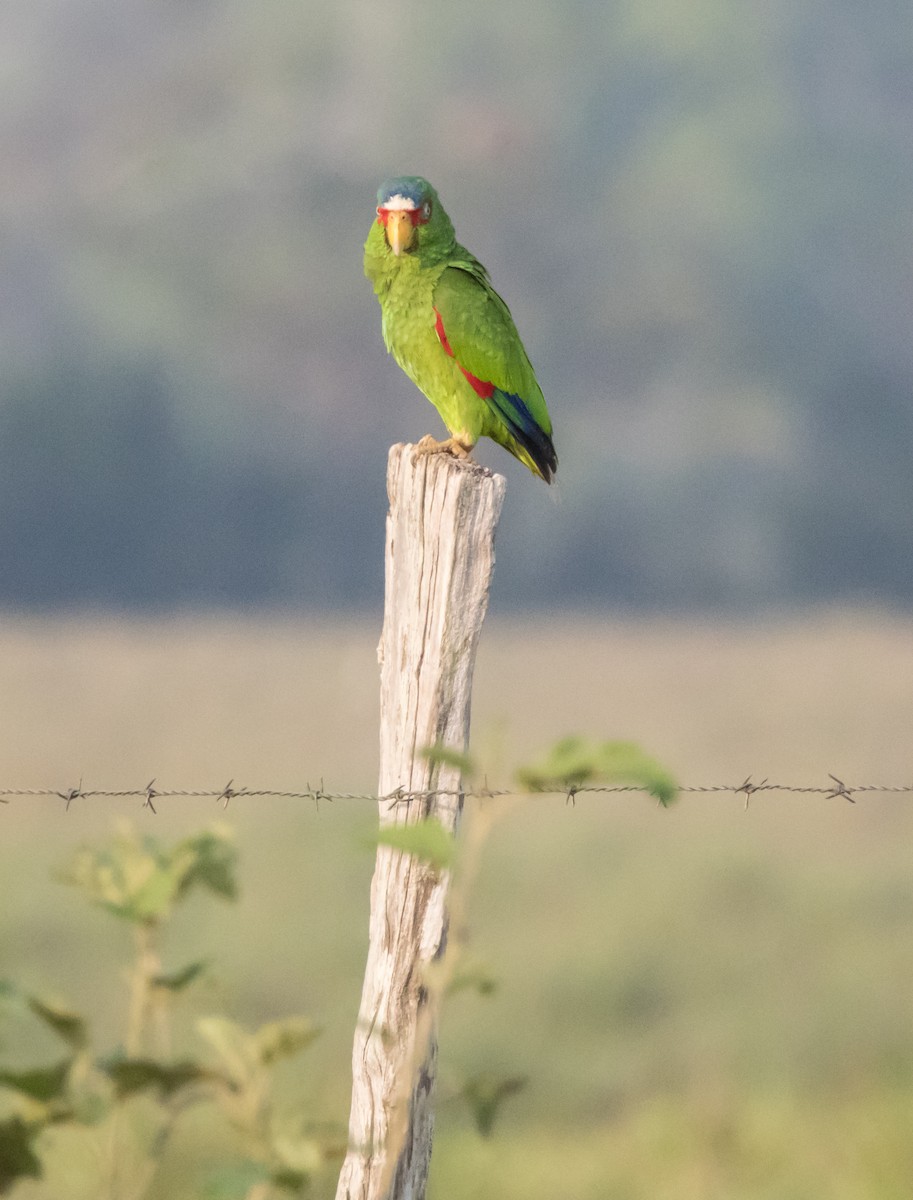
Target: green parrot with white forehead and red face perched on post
pixel 452 333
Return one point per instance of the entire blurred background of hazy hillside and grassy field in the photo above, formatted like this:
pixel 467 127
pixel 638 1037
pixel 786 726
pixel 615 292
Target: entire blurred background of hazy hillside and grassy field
pixel 700 214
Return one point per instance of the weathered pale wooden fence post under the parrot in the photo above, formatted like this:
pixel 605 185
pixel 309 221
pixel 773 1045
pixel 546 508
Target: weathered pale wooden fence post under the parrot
pixel 440 560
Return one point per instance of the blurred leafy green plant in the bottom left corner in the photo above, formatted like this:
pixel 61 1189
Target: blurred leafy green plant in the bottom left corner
pixel 109 1097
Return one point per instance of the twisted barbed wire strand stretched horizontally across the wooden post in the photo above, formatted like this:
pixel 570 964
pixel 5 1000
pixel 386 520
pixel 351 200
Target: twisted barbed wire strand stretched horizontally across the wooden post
pixel 151 794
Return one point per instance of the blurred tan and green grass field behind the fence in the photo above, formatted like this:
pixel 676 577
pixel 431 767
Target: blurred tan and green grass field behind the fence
pixel 706 1003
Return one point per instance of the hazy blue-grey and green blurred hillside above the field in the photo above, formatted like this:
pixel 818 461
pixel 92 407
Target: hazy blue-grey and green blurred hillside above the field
pixel 699 213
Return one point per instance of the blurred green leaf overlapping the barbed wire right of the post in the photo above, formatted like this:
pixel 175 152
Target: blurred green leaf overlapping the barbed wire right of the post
pixel 574 763
